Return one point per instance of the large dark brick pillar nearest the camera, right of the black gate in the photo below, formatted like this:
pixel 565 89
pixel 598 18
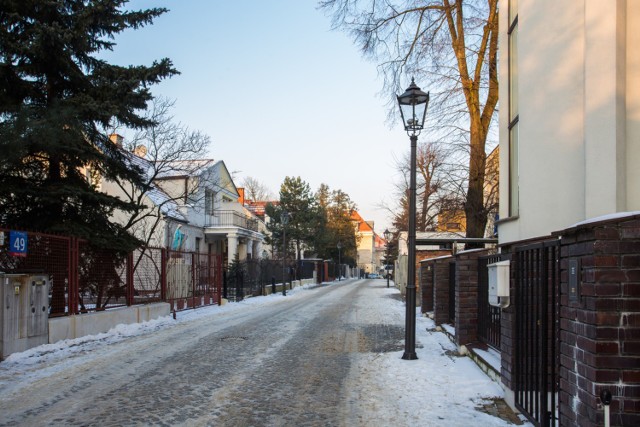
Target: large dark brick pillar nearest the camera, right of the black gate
pixel 600 327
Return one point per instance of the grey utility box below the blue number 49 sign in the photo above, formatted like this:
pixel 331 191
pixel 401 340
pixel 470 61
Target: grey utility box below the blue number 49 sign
pixel 24 313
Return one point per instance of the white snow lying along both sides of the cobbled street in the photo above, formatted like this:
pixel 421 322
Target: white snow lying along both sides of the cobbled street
pixel 439 388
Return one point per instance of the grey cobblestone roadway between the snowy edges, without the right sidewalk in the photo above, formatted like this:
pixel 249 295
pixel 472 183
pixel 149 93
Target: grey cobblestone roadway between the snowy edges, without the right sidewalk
pixel 282 364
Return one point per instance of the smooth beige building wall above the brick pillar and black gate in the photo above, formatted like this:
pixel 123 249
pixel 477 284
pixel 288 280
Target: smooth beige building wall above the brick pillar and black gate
pixel 579 113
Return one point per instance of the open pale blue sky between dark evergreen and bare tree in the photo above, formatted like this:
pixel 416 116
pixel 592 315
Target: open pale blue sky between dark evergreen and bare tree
pixel 279 93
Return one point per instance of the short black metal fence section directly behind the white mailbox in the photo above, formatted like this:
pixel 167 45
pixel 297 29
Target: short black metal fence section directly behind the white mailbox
pixel 488 315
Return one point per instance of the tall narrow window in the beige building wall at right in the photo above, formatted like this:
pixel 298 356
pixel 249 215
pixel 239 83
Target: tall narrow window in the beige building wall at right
pixel 514 117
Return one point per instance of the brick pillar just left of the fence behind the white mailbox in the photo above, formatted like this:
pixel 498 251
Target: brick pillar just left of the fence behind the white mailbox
pixel 467 296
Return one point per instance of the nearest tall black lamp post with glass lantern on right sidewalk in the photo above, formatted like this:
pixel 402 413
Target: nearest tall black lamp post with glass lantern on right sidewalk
pixel 413 110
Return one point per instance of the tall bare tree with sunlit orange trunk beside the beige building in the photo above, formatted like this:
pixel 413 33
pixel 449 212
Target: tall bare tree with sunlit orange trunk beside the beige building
pixel 451 44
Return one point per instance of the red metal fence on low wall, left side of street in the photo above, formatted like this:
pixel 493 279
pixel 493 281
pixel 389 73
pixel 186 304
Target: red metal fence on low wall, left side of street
pixel 88 279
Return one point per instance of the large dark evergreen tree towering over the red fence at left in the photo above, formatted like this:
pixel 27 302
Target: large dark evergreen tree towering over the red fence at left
pixel 57 99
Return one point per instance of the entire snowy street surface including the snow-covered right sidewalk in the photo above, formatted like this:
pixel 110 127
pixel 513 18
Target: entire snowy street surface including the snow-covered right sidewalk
pixel 327 356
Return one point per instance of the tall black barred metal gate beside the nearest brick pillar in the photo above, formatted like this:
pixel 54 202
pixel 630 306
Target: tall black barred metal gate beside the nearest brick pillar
pixel 537 300
